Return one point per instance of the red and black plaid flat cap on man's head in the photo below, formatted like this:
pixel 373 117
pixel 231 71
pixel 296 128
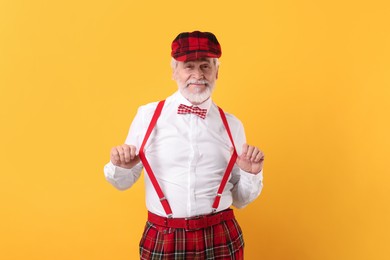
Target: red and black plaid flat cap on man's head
pixel 195 45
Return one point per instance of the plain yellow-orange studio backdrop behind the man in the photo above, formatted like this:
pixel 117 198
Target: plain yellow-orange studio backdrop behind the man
pixel 310 80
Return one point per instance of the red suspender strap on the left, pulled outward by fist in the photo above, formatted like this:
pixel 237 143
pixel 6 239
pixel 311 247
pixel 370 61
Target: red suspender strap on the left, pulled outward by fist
pixel 163 200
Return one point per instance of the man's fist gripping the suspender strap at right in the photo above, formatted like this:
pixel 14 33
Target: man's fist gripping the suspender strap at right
pixel 251 159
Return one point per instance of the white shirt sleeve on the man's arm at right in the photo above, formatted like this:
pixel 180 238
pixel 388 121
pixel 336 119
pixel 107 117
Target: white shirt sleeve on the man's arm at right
pixel 246 186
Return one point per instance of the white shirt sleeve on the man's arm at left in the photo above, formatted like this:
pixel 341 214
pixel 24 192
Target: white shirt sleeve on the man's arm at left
pixel 122 178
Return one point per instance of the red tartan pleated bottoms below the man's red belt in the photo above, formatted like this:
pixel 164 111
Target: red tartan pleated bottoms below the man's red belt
pixel 221 241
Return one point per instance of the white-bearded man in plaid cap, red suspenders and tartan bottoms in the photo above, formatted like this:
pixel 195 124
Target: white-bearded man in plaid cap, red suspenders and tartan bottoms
pixel 196 160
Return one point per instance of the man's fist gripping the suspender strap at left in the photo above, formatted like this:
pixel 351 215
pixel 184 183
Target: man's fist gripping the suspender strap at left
pixel 124 156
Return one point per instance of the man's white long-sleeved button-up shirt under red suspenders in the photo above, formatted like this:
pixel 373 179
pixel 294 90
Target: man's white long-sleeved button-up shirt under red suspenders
pixel 188 156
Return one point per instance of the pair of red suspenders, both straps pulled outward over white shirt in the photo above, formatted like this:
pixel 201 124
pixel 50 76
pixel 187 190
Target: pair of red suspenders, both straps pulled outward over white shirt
pixel 163 200
